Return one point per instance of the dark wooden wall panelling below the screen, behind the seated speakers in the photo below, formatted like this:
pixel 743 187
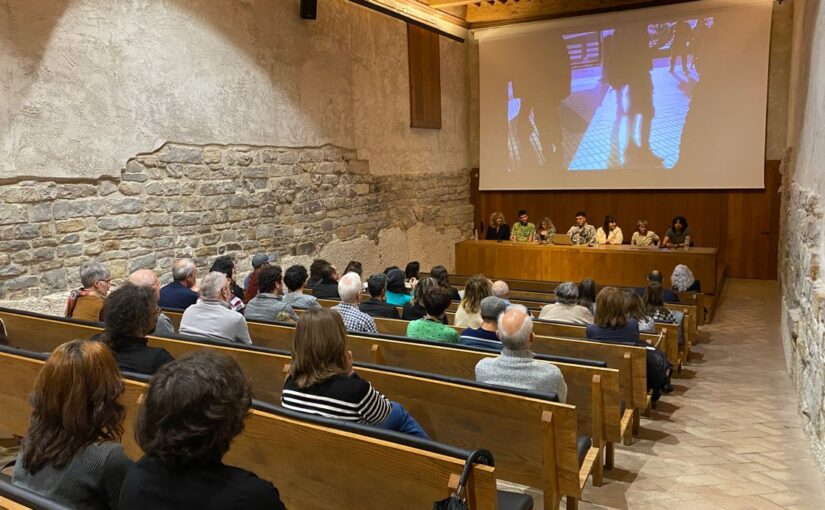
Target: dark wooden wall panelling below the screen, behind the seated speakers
pixel 743 224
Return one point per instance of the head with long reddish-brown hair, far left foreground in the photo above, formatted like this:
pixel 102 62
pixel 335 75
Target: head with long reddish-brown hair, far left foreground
pixel 74 404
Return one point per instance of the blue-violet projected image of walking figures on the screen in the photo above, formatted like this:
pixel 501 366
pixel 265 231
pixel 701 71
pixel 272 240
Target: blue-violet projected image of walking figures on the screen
pixel 619 100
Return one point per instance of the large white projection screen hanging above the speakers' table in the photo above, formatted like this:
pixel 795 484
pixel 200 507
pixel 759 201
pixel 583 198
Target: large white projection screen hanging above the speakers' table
pixel 671 97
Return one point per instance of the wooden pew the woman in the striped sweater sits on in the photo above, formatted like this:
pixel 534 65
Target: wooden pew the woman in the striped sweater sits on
pixel 284 449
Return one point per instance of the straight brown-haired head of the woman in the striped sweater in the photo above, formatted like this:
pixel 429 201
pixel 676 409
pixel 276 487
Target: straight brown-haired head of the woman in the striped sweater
pixel 319 348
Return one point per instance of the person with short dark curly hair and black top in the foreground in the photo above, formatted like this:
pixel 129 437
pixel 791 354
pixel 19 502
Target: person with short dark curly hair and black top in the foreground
pixel 194 408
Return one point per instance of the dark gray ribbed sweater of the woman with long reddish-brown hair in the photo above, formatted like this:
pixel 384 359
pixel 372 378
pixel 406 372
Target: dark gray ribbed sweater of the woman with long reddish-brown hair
pixel 90 481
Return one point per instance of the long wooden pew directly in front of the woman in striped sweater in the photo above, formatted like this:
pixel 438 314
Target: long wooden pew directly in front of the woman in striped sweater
pixel 546 456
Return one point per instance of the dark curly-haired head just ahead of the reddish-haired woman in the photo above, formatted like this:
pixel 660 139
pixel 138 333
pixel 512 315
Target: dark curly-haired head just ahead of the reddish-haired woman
pixel 130 311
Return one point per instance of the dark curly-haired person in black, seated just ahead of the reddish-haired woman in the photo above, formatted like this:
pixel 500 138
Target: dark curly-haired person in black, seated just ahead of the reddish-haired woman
pixel 129 315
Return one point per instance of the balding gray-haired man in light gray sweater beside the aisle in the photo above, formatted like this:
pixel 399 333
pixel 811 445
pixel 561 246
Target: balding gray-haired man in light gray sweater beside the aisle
pixel 515 366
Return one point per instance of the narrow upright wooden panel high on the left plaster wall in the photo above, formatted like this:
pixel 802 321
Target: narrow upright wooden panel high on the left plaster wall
pixel 425 77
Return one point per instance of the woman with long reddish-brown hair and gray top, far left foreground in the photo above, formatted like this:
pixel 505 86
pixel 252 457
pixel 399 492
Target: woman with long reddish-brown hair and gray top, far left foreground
pixel 71 453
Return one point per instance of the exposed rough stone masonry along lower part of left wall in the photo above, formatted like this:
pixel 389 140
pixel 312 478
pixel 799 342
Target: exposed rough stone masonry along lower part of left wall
pixel 205 201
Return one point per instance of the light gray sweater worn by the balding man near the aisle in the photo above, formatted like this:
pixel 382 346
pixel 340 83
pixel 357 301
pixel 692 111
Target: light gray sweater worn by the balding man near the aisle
pixel 518 369
